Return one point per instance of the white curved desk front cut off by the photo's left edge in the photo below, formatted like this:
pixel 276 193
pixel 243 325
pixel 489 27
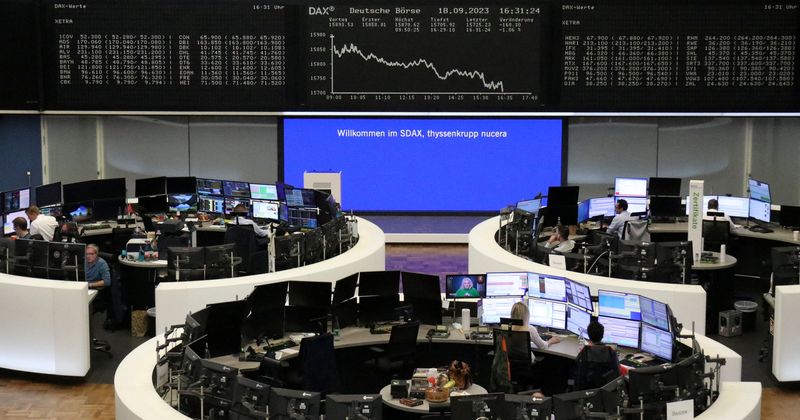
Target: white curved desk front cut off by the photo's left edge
pixel 45 325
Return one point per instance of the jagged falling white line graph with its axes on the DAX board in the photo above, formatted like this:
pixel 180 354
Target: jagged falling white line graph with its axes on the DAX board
pixel 492 87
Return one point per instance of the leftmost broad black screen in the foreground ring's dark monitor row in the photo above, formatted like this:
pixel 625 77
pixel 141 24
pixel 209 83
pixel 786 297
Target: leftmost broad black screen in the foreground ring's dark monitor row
pixel 224 327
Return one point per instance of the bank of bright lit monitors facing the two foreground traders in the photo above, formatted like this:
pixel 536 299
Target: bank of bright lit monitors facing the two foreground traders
pixel 556 302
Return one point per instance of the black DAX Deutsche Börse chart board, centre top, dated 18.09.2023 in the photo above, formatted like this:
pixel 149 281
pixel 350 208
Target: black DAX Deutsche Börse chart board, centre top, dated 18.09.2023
pixel 448 57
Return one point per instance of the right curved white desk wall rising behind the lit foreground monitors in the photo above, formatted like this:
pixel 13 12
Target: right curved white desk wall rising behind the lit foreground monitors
pixel 688 302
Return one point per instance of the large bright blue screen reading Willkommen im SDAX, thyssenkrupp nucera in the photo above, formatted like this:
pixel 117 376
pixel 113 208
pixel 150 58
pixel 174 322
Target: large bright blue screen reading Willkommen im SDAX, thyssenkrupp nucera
pixel 427 164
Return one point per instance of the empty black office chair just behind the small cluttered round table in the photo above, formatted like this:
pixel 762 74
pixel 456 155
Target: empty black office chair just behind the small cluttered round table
pixel 399 356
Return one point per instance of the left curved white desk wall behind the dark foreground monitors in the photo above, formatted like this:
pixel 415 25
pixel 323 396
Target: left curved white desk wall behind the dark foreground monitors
pixel 175 300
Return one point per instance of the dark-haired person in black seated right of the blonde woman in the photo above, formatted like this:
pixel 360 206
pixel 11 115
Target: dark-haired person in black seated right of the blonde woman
pixel 597 363
